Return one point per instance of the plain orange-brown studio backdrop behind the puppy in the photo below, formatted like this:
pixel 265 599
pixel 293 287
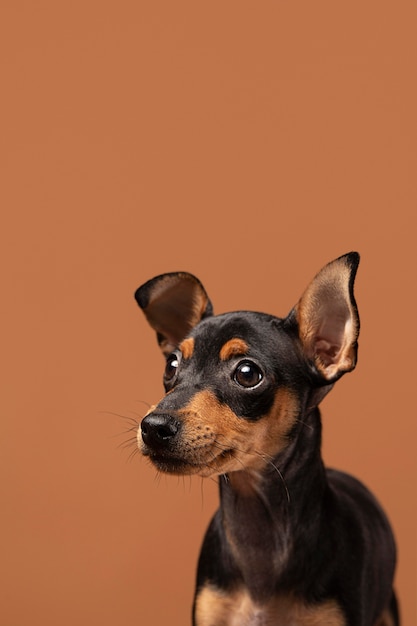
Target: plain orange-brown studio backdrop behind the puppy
pixel 247 142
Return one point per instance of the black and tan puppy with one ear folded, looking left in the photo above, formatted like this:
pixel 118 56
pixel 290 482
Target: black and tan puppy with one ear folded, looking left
pixel 293 543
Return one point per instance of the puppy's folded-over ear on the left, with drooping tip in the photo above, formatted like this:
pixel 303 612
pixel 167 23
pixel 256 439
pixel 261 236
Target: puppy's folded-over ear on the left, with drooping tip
pixel 173 304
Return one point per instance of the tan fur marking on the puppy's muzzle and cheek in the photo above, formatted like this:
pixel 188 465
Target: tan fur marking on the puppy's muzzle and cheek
pixel 216 441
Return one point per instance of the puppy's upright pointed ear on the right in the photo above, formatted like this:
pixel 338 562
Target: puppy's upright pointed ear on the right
pixel 328 320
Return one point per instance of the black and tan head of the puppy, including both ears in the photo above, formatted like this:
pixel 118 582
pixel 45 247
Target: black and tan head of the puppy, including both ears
pixel 236 383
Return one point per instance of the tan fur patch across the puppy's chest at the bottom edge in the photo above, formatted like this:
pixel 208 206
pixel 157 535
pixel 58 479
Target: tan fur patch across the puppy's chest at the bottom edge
pixel 216 608
